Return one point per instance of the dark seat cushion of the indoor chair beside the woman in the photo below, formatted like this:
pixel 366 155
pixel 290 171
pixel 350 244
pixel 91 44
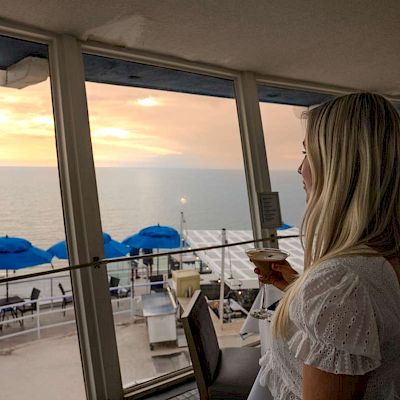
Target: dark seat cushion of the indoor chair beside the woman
pixel 237 371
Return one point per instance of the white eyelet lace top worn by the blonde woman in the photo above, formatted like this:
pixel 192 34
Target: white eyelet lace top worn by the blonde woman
pixel 345 320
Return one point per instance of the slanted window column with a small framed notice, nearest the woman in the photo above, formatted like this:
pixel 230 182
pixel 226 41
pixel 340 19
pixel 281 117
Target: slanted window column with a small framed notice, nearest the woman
pixel 254 154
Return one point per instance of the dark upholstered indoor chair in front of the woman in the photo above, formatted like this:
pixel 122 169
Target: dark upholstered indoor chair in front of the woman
pixel 221 374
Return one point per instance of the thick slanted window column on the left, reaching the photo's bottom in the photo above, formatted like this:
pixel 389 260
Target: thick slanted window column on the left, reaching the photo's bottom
pixel 82 222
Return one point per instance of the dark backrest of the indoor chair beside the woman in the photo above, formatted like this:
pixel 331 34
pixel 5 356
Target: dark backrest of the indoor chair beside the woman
pixel 202 341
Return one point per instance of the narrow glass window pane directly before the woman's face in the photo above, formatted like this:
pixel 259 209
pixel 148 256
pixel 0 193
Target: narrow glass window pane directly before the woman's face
pixel 284 127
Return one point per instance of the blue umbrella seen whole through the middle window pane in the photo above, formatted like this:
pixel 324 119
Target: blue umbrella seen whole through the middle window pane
pixel 154 237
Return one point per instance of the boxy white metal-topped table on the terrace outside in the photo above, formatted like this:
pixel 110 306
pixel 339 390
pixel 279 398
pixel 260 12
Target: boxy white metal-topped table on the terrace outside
pixel 160 313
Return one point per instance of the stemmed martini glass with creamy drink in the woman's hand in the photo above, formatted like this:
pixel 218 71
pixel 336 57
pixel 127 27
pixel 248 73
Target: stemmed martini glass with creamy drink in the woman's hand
pixel 263 258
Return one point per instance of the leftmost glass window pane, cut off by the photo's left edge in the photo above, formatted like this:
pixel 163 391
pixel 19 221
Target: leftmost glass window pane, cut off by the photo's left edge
pixel 38 339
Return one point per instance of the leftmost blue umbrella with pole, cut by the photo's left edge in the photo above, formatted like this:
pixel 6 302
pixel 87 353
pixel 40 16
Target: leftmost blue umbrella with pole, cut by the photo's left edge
pixel 17 253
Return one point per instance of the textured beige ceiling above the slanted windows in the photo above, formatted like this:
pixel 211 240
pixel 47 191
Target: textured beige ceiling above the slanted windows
pixel 350 44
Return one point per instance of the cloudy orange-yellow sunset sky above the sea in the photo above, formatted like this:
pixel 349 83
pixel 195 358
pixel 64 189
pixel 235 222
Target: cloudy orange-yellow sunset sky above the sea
pixel 134 127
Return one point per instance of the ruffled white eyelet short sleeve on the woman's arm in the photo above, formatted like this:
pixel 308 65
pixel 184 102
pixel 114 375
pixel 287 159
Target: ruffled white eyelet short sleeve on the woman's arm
pixel 337 328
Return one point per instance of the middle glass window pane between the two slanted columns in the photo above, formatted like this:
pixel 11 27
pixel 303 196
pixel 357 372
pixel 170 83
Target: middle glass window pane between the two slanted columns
pixel 167 151
